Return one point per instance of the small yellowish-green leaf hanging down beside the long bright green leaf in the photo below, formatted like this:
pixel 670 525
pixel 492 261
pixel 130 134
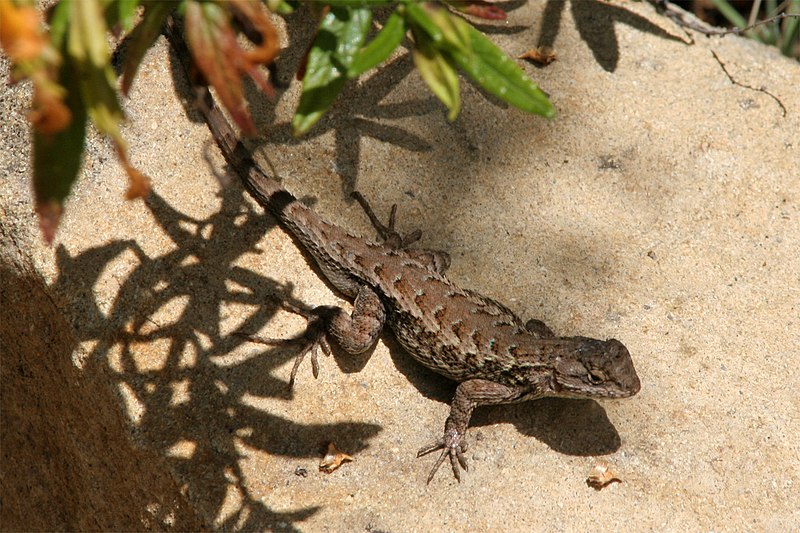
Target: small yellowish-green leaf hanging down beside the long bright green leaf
pixel 438 73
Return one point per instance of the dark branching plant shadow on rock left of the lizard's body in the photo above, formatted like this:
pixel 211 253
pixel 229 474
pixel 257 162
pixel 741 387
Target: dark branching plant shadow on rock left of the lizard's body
pixel 173 370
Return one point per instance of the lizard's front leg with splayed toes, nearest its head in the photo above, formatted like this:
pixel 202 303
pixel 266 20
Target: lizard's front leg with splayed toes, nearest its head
pixel 469 395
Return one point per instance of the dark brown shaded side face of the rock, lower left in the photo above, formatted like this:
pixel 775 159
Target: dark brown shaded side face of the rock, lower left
pixel 67 460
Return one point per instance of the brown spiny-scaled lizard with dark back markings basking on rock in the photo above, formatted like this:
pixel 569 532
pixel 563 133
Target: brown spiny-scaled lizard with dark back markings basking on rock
pixel 472 339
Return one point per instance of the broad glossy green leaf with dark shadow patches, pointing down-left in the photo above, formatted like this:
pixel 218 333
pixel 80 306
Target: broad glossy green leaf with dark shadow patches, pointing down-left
pixel 339 38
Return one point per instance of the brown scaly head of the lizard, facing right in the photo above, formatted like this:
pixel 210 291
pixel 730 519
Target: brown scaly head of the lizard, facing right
pixel 595 369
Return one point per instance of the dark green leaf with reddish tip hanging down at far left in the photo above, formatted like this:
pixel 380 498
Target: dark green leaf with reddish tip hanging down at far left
pixel 57 157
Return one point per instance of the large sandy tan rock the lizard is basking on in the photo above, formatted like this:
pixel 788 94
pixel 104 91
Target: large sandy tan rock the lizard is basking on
pixel 661 207
